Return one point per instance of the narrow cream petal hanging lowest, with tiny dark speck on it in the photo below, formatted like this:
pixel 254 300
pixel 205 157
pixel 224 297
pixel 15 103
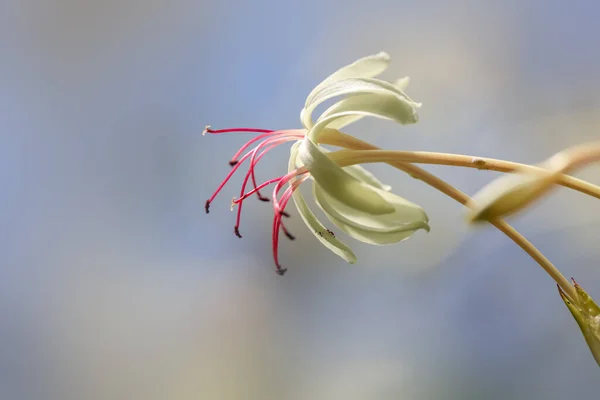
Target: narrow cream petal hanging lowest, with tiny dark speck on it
pixel 316 227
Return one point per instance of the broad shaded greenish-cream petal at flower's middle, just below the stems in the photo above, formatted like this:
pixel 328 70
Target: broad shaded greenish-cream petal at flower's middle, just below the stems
pixel 339 183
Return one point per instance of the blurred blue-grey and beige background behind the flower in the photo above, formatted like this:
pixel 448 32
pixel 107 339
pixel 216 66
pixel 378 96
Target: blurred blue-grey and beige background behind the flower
pixel 114 284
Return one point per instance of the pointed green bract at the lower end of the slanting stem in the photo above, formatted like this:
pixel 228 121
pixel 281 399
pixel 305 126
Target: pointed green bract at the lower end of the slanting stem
pixel 587 315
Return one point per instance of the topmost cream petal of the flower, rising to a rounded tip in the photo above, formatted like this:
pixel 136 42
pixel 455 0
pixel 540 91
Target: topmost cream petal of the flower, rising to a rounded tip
pixel 366 67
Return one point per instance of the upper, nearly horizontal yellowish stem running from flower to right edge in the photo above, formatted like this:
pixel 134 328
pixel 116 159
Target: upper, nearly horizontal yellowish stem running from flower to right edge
pixel 370 152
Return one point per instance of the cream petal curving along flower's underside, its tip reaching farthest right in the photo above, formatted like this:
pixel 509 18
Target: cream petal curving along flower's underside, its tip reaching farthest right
pixel 407 216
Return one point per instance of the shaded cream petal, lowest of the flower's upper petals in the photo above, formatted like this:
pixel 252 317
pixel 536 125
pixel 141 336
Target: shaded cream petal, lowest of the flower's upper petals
pixel 383 106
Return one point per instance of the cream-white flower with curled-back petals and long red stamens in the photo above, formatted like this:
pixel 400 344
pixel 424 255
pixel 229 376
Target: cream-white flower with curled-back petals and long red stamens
pixel 351 197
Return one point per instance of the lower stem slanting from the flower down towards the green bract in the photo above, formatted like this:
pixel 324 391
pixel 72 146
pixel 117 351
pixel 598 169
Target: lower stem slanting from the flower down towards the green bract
pixel 464 199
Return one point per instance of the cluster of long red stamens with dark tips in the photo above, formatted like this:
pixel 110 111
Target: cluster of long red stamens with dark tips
pixel 253 151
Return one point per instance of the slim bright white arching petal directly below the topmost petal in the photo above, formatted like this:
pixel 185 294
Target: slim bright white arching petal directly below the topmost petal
pixel 351 87
